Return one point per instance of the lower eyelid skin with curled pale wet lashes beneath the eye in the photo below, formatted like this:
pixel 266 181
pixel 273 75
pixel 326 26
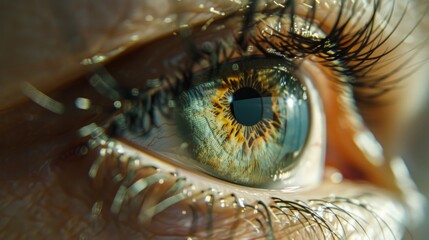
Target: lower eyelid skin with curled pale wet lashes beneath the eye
pixel 332 217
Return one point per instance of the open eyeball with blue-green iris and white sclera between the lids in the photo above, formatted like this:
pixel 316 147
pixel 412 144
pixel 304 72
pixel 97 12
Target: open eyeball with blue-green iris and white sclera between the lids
pixel 248 117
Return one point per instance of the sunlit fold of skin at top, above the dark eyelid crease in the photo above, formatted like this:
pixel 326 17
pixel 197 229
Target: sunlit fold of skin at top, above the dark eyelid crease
pixel 148 21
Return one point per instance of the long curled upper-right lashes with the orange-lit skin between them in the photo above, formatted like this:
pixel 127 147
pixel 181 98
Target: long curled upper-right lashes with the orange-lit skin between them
pixel 350 50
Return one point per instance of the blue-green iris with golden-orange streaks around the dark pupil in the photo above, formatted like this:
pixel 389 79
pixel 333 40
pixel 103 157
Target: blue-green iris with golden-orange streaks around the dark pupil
pixel 248 123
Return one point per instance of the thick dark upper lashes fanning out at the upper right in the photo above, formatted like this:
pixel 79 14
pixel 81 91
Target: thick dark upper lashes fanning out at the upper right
pixel 357 59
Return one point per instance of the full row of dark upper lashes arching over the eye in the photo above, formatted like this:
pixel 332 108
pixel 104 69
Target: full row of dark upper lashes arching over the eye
pixel 350 66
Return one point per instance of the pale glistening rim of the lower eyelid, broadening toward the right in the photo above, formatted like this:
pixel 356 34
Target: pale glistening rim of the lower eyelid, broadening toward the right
pixel 364 198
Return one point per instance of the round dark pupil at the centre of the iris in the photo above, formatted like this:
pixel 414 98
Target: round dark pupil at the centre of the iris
pixel 247 106
